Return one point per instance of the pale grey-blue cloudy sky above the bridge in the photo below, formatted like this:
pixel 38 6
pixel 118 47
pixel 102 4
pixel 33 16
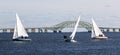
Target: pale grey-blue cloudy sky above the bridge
pixel 40 13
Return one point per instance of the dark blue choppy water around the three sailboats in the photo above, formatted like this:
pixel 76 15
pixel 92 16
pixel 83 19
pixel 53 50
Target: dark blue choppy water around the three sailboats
pixel 53 44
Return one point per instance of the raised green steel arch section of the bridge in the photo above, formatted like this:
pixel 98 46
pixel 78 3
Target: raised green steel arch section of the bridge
pixel 71 24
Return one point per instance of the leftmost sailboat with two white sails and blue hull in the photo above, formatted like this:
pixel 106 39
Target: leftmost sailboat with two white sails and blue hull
pixel 20 33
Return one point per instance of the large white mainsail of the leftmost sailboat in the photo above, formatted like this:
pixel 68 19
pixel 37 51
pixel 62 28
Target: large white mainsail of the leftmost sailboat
pixel 20 28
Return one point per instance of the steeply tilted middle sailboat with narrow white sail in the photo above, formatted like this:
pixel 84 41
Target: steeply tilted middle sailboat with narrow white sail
pixel 71 37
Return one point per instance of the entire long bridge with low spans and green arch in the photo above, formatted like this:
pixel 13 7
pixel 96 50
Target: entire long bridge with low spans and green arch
pixel 59 27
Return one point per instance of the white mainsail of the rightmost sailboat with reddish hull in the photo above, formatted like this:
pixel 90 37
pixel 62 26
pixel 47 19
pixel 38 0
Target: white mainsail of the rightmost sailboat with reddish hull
pixel 96 31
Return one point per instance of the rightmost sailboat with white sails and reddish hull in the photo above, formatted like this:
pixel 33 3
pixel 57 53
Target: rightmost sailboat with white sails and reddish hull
pixel 96 32
